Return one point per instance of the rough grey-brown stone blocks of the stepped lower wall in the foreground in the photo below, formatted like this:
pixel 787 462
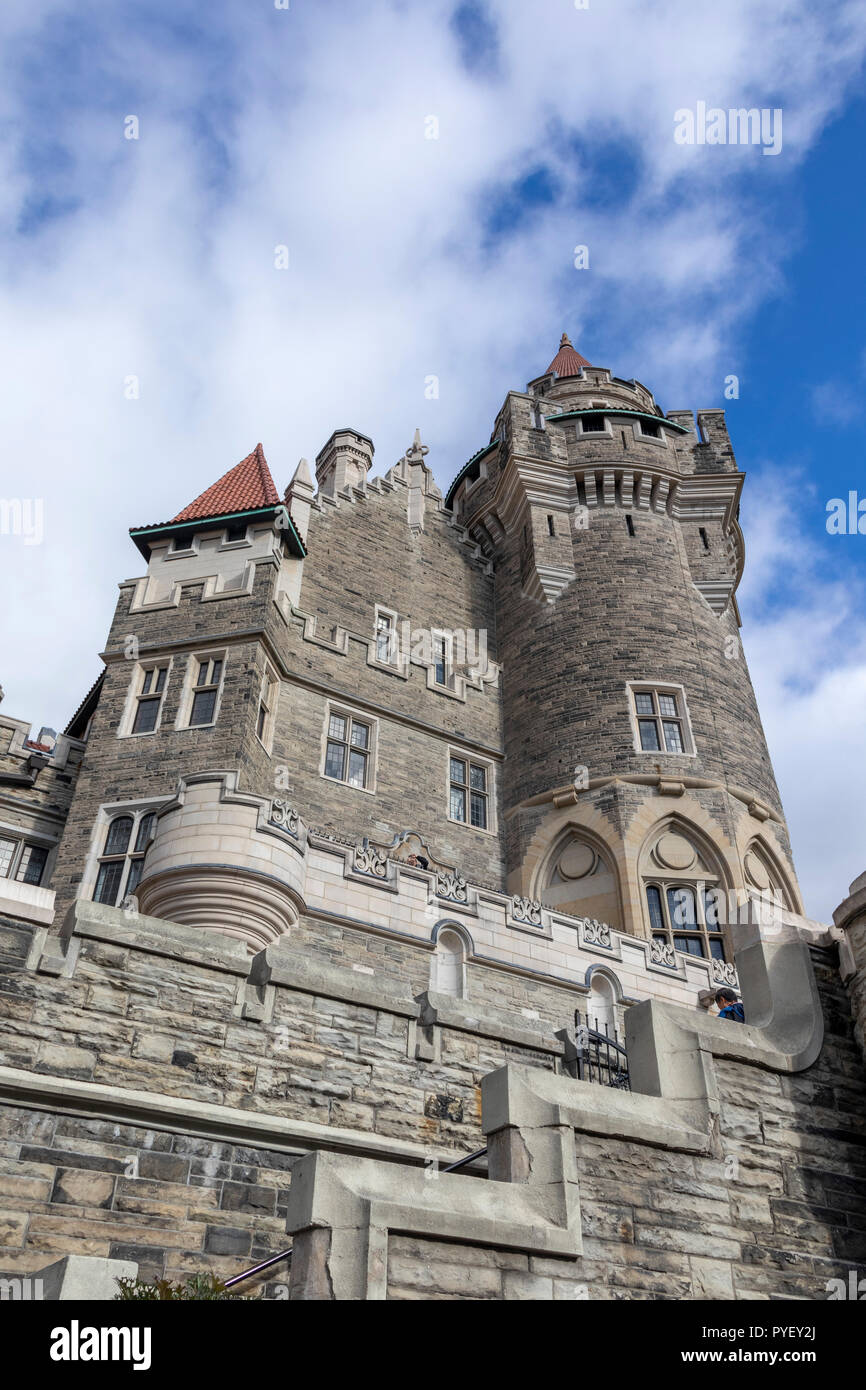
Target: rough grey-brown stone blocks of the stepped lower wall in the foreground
pixel 155 1106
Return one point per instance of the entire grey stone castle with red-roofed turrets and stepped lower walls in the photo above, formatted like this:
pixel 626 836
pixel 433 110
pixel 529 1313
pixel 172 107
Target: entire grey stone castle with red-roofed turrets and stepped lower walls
pixel 407 831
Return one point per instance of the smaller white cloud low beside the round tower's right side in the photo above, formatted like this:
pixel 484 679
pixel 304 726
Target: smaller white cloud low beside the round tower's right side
pixel 808 662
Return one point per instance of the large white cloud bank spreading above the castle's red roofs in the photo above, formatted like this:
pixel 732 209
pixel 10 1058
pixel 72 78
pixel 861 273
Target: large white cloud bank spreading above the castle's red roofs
pixel 307 127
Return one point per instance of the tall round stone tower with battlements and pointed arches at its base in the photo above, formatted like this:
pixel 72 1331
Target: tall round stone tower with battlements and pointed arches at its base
pixel 637 783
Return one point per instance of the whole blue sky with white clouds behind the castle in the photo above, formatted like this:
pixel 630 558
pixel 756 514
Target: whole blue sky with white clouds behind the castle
pixel 451 256
